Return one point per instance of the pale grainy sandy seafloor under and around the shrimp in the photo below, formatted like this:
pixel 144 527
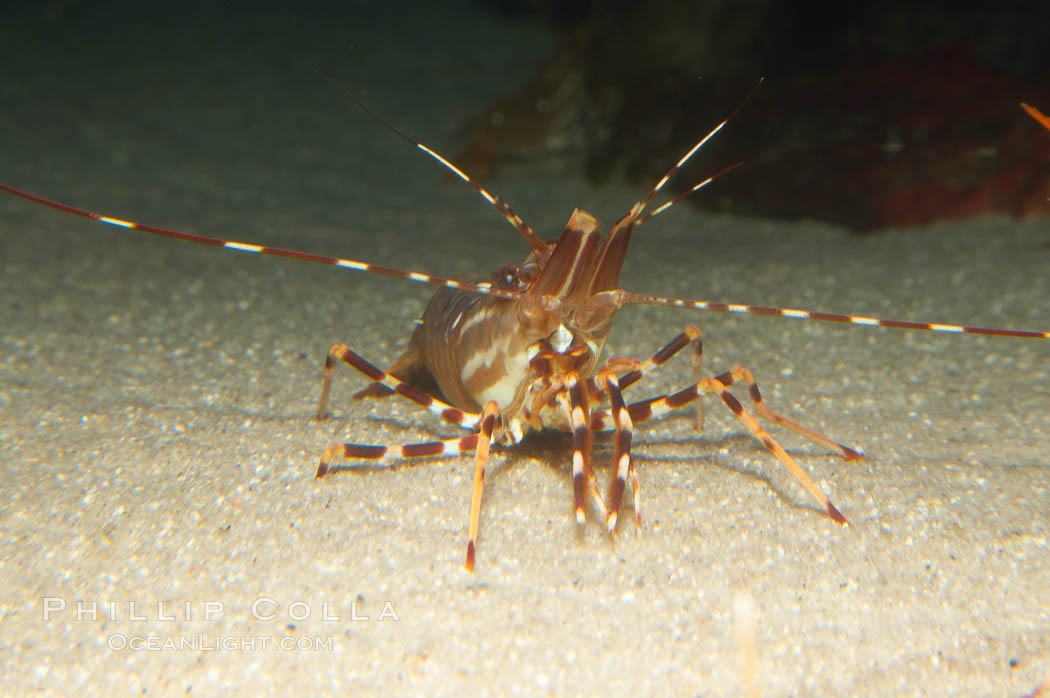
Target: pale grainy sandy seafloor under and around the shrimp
pixel 157 447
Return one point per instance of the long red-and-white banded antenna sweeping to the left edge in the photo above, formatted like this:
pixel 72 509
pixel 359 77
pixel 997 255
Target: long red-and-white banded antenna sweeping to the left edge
pixel 486 289
